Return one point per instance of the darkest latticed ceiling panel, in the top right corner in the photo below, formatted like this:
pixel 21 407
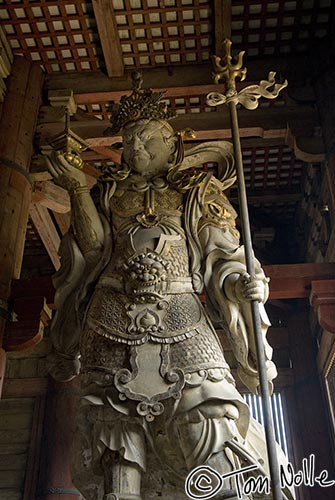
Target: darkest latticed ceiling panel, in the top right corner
pixel 274 27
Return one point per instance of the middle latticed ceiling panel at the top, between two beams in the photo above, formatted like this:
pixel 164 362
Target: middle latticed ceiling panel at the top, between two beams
pixel 155 33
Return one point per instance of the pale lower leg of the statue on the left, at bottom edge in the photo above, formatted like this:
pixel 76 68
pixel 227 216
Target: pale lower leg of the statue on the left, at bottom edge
pixel 122 478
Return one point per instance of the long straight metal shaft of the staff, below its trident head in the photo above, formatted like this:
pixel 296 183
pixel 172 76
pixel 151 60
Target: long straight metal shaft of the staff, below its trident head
pixel 250 265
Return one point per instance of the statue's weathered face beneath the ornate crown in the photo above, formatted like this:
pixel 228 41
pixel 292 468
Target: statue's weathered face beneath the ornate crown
pixel 148 146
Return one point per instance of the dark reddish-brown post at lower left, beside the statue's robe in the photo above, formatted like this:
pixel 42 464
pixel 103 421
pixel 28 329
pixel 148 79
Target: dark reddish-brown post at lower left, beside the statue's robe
pixel 55 481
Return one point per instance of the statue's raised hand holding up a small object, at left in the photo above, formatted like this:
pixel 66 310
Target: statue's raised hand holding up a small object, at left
pixel 65 168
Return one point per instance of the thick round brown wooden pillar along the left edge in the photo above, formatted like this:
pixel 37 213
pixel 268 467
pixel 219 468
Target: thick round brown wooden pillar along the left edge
pixel 17 128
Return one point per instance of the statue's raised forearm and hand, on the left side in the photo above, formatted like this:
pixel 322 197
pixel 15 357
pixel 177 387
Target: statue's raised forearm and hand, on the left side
pixel 85 220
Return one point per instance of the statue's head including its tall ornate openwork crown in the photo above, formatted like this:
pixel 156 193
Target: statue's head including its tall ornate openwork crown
pixel 150 145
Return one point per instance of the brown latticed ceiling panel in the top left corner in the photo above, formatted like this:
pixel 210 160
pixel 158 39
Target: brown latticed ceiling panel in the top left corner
pixel 56 33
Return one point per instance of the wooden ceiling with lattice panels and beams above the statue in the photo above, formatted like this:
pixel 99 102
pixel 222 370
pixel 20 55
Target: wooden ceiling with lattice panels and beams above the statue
pixel 91 47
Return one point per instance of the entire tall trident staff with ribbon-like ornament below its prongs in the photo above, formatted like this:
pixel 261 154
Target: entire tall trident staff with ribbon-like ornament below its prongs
pixel 228 71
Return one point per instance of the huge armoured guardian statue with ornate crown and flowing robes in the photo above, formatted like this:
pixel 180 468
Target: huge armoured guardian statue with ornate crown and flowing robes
pixel 129 320
